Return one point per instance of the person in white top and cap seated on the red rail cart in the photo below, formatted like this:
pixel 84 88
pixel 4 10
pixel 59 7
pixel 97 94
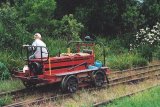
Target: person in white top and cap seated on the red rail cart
pixel 38 42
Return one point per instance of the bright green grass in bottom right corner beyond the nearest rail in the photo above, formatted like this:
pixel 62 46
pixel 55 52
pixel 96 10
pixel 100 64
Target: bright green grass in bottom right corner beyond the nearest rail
pixel 150 98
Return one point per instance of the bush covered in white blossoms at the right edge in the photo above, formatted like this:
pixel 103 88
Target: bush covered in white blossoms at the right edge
pixel 147 40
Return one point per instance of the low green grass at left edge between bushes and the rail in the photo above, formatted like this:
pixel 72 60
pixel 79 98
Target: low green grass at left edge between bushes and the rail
pixel 8 85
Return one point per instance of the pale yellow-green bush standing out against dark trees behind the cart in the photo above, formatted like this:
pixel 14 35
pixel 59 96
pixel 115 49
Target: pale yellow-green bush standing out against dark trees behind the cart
pixel 69 28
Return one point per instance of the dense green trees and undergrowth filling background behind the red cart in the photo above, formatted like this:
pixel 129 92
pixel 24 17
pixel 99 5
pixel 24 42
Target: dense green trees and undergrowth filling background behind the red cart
pixel 113 22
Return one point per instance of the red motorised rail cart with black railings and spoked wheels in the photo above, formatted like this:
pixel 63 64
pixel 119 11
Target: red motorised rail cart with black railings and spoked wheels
pixel 71 70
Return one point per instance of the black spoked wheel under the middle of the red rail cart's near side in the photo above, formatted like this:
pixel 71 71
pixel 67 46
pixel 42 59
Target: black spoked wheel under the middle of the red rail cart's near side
pixel 70 84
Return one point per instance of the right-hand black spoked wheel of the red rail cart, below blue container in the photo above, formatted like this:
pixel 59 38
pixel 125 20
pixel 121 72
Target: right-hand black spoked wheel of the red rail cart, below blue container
pixel 98 79
